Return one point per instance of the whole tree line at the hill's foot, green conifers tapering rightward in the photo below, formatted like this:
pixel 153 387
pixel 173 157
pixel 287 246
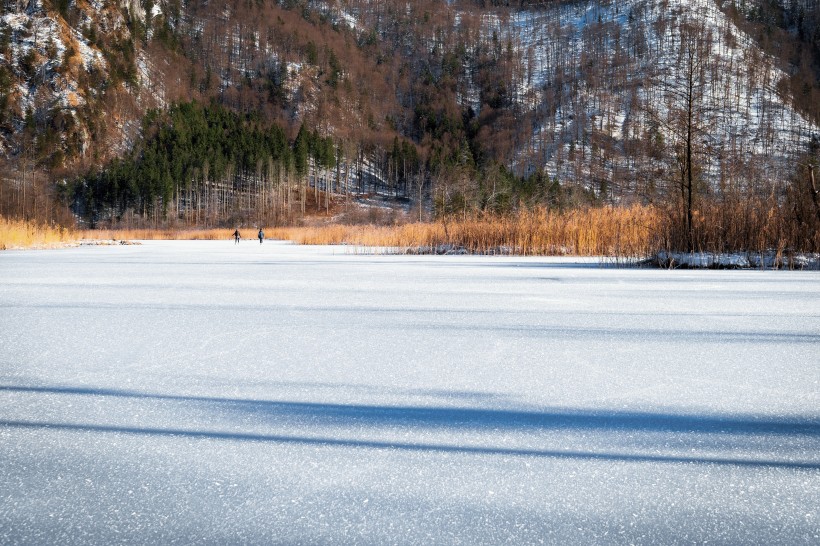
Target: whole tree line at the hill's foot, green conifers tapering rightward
pixel 207 165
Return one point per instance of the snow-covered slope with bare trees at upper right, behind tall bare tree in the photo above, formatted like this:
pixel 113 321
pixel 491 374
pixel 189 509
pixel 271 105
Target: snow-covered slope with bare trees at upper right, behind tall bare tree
pixel 595 77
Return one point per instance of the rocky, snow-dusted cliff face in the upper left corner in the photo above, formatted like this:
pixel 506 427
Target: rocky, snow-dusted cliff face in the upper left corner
pixel 72 85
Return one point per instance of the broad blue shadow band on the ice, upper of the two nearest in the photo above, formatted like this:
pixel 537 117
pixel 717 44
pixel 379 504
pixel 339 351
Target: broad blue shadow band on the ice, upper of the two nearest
pixel 470 417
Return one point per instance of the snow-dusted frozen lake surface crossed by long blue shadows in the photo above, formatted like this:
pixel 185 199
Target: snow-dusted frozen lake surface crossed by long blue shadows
pixel 201 392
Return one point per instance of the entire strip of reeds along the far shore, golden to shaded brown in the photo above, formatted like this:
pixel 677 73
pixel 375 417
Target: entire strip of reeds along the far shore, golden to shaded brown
pixel 618 232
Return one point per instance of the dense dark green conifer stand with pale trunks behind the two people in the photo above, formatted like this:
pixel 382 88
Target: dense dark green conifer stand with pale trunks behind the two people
pixel 202 165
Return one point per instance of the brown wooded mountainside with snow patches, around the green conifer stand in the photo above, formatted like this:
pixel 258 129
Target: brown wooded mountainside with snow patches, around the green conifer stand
pixel 456 106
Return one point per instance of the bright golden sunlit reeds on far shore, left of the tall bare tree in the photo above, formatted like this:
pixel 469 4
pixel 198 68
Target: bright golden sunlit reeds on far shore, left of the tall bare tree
pixel 624 232
